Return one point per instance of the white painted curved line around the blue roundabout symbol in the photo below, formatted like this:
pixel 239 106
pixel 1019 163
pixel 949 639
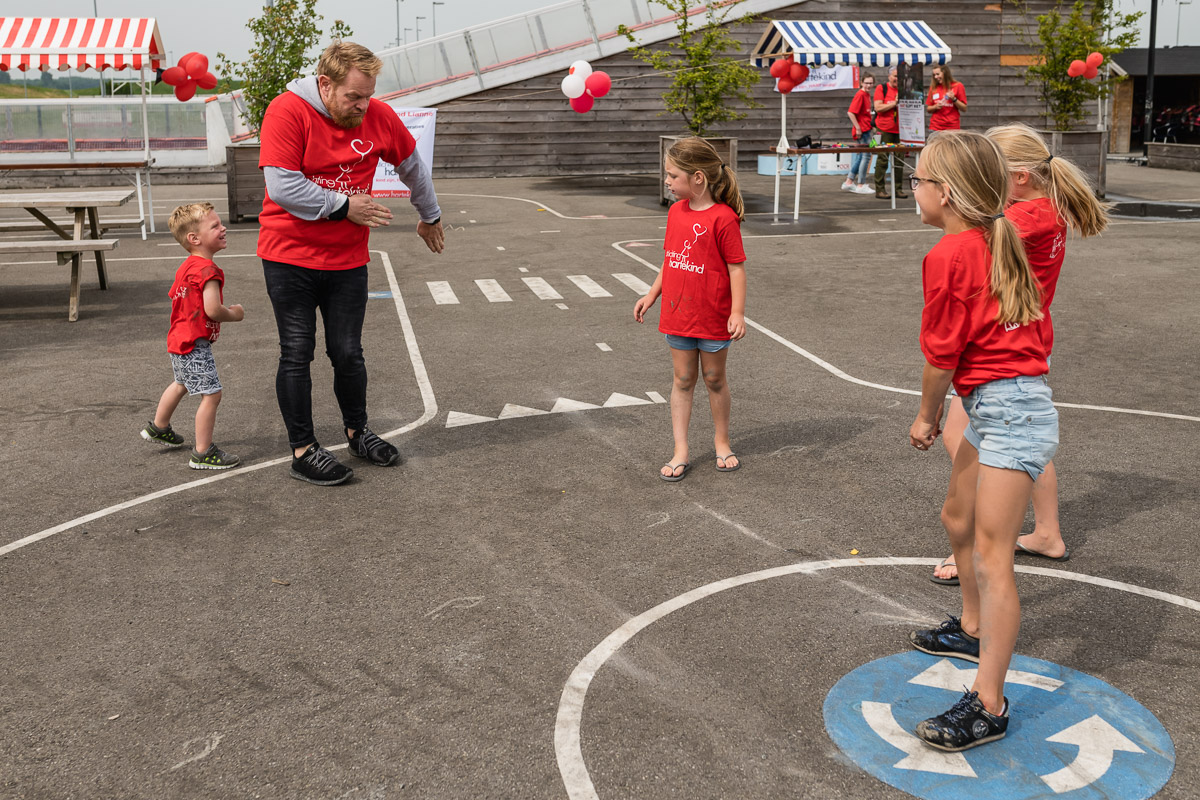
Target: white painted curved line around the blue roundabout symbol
pixel 568 748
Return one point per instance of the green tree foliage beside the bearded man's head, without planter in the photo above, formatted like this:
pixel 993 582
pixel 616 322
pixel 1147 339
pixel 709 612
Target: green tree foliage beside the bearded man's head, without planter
pixel 285 37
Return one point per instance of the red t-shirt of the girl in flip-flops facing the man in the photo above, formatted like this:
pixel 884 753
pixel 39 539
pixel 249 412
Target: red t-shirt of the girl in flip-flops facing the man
pixel 700 246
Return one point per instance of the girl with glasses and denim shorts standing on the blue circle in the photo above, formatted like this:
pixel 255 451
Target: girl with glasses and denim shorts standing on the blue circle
pixel 980 329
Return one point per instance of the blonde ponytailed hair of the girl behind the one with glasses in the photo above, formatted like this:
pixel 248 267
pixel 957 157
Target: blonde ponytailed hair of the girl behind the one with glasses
pixel 1063 182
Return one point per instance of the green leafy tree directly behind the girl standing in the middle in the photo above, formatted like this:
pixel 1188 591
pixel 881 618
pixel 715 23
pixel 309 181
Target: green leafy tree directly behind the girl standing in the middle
pixel 707 87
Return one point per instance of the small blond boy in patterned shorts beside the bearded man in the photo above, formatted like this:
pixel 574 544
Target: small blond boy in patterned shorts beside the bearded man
pixel 196 317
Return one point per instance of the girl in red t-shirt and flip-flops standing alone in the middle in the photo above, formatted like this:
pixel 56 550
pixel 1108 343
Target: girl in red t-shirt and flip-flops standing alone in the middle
pixel 704 285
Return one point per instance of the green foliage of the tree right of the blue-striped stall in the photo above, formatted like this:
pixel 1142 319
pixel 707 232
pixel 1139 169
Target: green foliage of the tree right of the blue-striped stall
pixel 1059 40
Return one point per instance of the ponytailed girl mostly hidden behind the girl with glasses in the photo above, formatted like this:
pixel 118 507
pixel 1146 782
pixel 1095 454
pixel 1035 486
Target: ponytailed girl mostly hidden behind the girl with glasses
pixel 1048 195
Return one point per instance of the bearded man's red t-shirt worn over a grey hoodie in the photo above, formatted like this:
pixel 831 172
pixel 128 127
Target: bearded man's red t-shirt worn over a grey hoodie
pixel 298 137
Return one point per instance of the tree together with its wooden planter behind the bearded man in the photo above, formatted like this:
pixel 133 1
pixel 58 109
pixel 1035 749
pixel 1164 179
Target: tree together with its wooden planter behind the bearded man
pixel 285 38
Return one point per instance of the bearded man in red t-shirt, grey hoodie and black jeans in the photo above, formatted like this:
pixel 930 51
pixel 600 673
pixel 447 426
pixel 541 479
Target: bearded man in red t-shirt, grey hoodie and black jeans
pixel 321 145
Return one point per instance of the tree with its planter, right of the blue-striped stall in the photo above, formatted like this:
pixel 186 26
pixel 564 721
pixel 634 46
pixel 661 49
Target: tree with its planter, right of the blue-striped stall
pixel 1058 40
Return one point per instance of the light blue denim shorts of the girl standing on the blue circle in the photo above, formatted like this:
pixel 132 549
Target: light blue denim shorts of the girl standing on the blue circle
pixel 1013 424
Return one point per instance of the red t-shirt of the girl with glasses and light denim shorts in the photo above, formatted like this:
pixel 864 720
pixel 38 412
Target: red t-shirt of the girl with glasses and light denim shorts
pixel 959 329
